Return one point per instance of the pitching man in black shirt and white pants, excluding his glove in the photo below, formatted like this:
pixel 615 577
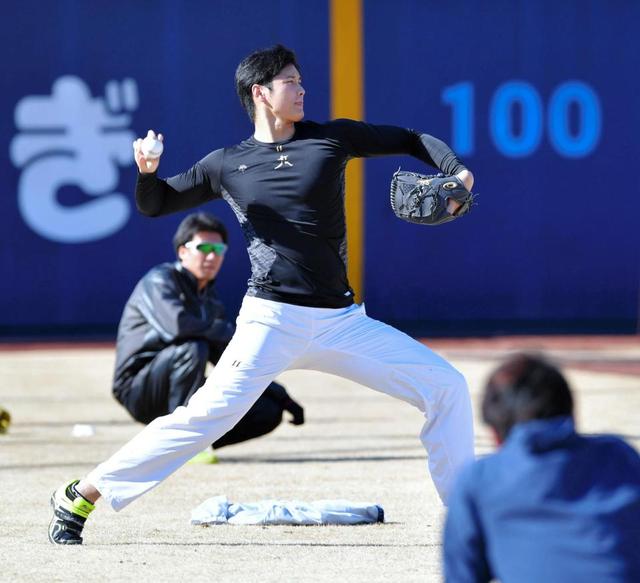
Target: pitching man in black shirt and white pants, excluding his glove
pixel 285 184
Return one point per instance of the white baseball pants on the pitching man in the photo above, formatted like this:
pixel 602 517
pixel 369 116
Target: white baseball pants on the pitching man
pixel 272 337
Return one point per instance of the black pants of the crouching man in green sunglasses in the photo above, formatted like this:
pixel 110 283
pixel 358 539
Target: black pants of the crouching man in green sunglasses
pixel 169 380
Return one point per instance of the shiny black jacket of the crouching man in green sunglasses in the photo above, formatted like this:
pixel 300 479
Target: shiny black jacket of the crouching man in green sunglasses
pixel 166 308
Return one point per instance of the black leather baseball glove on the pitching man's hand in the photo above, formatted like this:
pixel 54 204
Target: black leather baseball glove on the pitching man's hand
pixel 423 199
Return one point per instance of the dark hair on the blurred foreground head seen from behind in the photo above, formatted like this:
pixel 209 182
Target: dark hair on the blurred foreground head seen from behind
pixel 523 388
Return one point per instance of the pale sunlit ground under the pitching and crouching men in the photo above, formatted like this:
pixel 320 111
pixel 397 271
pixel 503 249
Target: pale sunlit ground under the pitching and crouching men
pixel 357 444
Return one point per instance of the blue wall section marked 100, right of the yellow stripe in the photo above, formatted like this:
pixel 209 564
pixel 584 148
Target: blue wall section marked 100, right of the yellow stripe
pixel 554 241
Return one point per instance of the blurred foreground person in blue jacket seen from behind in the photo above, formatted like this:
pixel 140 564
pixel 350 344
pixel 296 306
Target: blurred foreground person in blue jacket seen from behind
pixel 551 505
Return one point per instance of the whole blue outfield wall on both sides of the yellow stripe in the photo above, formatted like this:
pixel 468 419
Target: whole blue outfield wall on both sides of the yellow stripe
pixel 539 97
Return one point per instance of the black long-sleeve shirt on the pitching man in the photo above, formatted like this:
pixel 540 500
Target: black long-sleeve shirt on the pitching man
pixel 289 199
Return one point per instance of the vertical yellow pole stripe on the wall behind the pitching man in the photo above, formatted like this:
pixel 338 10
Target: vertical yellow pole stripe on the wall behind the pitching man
pixel 347 101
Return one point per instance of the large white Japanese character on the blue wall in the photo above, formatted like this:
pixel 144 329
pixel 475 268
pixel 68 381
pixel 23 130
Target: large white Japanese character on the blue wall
pixel 71 138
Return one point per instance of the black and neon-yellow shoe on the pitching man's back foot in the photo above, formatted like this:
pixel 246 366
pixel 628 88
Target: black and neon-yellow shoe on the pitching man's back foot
pixel 70 511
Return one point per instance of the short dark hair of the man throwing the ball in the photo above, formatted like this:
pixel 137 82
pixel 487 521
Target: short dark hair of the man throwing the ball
pixel 259 68
